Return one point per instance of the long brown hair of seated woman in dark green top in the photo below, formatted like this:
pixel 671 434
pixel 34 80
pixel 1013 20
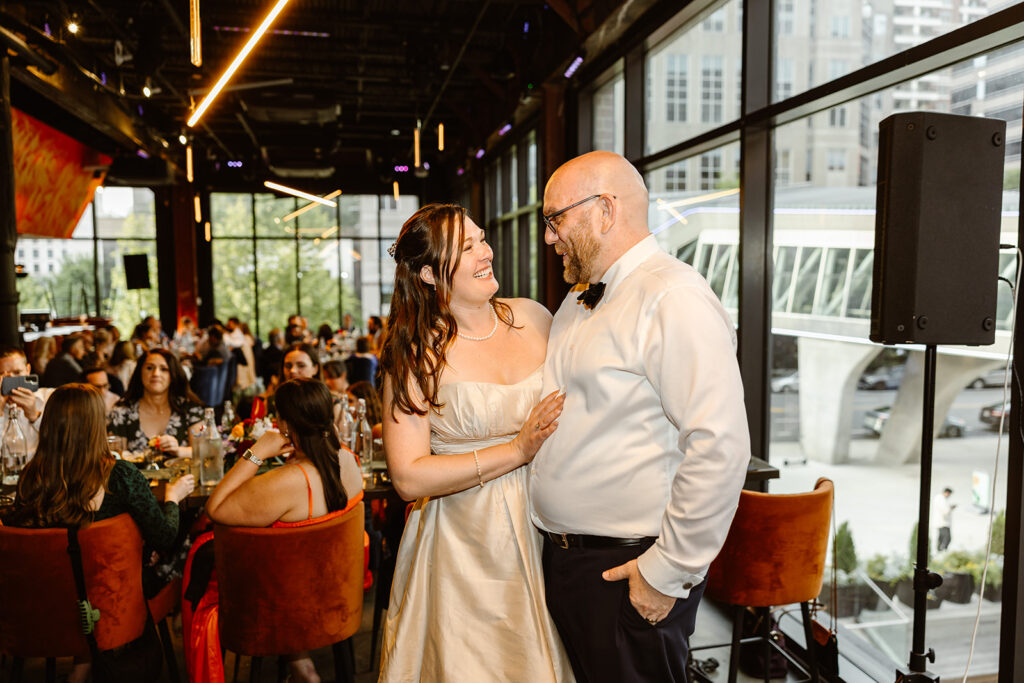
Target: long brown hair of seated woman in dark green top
pixel 71 465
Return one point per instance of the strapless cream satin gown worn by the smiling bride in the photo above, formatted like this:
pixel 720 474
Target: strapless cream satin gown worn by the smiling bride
pixel 467 604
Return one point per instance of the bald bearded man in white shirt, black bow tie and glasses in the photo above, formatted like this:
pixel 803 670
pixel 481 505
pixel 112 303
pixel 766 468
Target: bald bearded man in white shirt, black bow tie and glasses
pixel 636 490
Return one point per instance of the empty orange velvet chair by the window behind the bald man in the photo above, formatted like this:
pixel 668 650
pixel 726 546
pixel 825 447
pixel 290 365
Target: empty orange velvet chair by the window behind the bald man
pixel 775 556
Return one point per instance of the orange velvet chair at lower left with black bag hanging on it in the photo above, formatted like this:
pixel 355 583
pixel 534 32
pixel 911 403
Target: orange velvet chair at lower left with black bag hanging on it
pixel 39 604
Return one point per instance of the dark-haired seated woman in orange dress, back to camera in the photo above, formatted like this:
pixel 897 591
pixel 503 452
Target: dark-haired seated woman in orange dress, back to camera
pixel 319 479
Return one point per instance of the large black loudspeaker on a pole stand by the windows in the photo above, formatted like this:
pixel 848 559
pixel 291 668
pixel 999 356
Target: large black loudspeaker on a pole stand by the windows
pixel 937 230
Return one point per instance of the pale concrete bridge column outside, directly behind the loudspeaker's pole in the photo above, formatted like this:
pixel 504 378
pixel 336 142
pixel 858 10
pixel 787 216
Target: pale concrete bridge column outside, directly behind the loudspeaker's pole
pixel 901 441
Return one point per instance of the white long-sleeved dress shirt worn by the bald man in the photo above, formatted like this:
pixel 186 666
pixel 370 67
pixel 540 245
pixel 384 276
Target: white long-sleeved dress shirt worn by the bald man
pixel 653 441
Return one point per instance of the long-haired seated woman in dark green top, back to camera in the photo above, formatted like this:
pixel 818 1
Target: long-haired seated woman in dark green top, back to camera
pixel 74 481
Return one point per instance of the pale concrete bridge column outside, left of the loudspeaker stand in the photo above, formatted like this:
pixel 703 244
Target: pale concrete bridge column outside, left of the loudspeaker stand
pixel 829 374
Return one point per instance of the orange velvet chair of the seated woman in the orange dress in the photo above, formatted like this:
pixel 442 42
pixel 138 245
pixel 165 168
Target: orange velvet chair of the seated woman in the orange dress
pixel 290 590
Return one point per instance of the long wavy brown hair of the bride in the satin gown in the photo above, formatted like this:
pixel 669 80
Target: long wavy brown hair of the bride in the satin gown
pixel 421 327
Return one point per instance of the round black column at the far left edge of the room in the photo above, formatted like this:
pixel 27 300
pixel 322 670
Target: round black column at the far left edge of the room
pixel 9 219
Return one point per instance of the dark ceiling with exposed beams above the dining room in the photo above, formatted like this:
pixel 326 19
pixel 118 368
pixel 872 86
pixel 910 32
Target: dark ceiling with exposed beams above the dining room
pixel 338 87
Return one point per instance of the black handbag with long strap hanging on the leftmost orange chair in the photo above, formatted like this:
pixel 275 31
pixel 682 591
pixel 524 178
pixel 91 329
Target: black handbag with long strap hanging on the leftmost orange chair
pixel 142 660
